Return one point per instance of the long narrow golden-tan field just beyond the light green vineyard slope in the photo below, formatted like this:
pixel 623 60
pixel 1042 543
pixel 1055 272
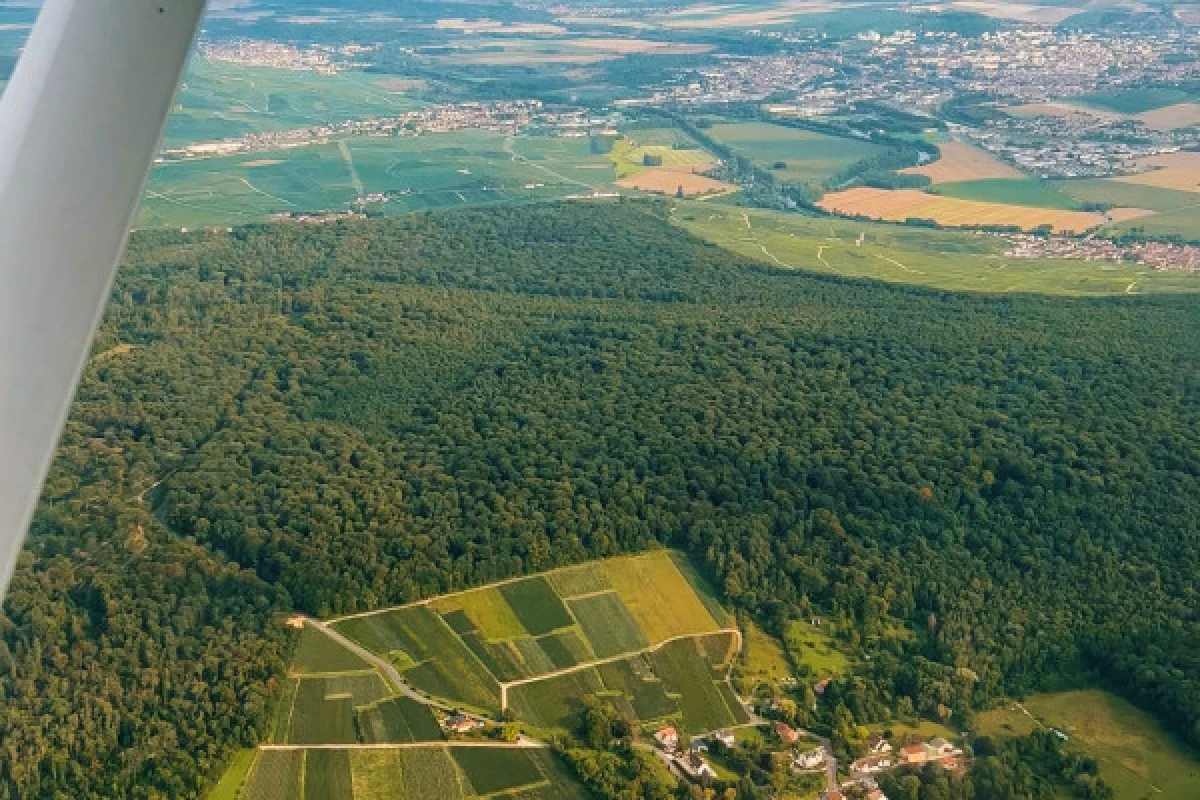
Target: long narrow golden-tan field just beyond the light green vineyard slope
pixel 897 206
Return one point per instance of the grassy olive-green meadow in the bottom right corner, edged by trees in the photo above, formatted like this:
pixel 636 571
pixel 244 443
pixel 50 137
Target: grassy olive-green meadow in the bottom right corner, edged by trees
pixel 1137 757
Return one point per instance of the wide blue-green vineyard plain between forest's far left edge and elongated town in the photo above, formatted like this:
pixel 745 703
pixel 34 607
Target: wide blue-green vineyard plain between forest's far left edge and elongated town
pixel 463 169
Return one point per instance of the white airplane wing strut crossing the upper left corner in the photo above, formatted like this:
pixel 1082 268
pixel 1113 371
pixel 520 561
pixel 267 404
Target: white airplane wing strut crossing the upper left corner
pixel 81 124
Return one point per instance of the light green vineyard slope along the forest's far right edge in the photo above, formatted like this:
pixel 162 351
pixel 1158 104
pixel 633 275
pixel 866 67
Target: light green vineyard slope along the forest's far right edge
pixel 943 260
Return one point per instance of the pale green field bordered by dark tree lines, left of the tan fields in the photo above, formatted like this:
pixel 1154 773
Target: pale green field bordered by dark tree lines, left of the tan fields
pixel 809 158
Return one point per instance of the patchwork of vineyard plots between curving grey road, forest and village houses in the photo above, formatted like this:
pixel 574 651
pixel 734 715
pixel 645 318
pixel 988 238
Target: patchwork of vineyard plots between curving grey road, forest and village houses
pixel 640 631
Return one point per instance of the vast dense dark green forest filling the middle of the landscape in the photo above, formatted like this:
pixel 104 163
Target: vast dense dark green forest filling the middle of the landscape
pixel 373 412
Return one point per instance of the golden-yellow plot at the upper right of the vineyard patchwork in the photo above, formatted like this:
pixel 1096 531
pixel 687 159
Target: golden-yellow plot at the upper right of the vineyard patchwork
pixel 659 598
